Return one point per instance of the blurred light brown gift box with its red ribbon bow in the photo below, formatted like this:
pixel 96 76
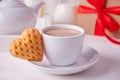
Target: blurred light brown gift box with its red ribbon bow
pixel 89 12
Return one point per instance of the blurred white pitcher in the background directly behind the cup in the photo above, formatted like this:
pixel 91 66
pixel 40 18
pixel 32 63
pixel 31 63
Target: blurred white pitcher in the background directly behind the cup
pixel 66 12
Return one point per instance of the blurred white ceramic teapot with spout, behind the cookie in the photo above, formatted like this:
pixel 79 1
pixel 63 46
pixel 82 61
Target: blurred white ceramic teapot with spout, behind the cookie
pixel 15 16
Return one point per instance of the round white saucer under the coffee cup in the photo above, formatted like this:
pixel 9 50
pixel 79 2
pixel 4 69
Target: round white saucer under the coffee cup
pixel 88 58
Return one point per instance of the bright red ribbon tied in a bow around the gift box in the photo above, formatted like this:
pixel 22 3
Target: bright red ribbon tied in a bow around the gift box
pixel 103 20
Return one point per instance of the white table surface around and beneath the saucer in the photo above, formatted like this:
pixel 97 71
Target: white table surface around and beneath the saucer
pixel 107 68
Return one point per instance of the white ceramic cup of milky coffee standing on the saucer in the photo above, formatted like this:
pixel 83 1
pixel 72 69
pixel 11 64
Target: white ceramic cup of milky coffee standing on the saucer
pixel 63 50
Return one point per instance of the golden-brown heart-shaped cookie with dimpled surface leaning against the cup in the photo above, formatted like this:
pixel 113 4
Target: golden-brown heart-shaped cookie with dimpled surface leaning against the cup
pixel 29 46
